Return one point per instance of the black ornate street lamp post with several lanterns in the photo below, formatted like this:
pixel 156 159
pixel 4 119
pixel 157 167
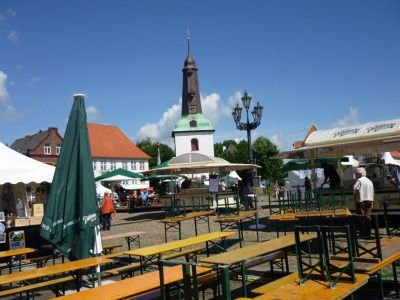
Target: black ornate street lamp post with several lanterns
pixel 248 126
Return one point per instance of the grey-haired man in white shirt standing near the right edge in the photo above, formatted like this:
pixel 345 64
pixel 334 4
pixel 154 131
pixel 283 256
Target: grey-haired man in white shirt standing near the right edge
pixel 363 194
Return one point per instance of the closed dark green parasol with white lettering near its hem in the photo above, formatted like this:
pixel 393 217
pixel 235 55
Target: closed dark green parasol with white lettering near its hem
pixel 71 217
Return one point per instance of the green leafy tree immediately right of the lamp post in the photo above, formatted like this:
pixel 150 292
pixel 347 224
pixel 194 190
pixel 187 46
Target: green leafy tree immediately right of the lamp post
pixel 271 169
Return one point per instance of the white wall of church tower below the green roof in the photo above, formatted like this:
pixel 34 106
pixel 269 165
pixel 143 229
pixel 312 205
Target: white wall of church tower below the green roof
pixel 183 142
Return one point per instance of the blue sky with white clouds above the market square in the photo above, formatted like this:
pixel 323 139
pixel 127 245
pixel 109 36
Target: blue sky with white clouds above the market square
pixel 328 63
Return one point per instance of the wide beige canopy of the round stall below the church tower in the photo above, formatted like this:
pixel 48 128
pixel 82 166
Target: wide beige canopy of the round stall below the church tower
pixel 191 163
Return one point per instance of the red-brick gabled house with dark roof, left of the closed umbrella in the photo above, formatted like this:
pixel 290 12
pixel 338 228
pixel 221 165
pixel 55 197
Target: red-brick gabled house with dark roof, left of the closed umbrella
pixel 44 146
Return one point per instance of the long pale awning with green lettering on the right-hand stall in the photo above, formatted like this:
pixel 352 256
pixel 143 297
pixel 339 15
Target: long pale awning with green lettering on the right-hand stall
pixel 376 137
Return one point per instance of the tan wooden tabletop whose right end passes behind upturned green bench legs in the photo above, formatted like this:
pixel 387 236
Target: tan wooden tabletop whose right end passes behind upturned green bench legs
pixel 242 254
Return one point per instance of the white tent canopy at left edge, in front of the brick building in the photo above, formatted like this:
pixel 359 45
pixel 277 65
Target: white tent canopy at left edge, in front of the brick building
pixel 16 167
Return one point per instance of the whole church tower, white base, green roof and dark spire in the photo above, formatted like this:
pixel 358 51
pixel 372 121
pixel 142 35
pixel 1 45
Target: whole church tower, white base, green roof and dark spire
pixel 192 132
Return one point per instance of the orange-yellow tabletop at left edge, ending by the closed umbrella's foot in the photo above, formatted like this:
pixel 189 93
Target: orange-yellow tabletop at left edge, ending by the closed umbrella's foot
pixel 54 269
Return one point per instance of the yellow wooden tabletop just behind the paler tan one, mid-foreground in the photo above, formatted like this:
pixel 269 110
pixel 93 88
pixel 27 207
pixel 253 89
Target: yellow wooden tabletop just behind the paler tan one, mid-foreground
pixel 165 247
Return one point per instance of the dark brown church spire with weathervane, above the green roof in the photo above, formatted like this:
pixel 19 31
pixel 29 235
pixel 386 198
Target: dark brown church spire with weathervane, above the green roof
pixel 191 103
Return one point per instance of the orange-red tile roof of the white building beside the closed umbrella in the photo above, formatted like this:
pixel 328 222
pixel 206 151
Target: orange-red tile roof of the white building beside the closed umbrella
pixel 109 141
